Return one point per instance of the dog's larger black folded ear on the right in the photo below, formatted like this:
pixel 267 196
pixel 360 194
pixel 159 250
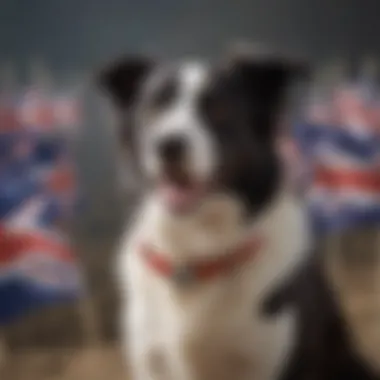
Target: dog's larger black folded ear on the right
pixel 265 78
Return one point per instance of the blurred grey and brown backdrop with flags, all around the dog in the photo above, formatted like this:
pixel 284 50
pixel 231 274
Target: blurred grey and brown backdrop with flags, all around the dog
pixel 64 194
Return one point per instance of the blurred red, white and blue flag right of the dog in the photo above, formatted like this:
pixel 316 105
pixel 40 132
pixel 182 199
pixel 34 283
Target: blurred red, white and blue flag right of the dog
pixel 344 161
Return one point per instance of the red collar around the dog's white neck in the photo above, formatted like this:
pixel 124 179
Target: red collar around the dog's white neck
pixel 201 270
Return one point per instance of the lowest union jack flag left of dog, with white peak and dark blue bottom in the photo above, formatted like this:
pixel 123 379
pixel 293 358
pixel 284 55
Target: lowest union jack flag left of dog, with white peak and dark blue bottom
pixel 37 266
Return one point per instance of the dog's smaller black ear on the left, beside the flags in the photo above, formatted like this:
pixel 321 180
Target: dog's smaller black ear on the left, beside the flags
pixel 122 79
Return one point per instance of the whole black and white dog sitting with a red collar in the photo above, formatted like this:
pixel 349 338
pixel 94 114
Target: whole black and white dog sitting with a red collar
pixel 209 267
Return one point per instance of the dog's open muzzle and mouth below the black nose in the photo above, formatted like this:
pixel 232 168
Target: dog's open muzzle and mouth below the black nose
pixel 180 191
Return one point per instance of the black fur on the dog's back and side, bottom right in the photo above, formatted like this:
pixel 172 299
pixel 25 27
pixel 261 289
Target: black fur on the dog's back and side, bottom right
pixel 323 349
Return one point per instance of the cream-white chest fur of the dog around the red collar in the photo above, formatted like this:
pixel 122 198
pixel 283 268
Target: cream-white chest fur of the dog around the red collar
pixel 212 330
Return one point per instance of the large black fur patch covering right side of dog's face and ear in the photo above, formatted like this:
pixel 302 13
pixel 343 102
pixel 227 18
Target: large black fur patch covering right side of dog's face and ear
pixel 240 107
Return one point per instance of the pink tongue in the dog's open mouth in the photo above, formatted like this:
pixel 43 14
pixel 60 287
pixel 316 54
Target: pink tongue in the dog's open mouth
pixel 179 198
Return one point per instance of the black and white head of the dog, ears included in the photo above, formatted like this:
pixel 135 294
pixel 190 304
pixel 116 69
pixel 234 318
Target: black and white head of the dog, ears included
pixel 198 129
